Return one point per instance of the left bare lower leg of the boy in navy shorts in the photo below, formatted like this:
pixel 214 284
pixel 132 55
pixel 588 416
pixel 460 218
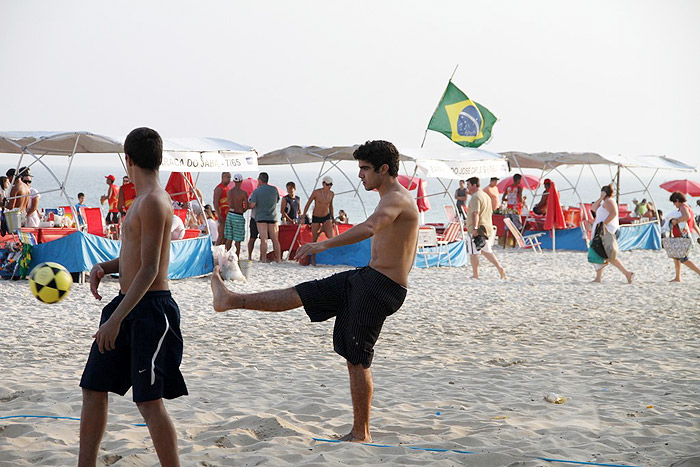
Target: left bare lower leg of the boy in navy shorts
pixel 93 421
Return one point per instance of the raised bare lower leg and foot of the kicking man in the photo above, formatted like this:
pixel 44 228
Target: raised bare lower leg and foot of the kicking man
pixel 271 300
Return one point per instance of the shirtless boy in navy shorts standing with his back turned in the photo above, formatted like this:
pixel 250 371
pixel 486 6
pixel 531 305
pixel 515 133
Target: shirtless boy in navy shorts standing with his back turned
pixel 139 342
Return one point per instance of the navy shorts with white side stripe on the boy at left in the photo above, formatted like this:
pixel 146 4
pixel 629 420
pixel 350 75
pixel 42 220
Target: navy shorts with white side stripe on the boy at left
pixel 147 352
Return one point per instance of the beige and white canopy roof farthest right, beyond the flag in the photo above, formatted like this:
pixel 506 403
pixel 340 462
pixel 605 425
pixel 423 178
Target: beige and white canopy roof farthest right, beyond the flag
pixel 550 160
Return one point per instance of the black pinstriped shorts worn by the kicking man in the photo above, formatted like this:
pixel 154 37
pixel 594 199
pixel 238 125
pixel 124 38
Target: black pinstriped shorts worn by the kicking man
pixel 361 299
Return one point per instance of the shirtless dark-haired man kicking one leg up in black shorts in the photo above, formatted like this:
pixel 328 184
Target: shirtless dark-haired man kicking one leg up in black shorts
pixel 361 299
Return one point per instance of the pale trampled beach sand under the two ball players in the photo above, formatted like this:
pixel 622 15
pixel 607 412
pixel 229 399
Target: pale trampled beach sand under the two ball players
pixel 482 354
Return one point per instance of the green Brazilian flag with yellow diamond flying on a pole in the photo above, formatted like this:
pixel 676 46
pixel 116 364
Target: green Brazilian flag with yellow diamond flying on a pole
pixel 461 119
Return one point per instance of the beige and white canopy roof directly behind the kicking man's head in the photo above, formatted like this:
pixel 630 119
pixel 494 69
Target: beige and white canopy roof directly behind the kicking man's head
pixel 458 163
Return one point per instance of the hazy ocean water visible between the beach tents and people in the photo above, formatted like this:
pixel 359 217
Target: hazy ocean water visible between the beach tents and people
pixel 87 174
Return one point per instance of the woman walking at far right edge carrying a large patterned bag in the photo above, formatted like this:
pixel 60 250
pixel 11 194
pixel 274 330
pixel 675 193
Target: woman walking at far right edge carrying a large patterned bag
pixel 682 226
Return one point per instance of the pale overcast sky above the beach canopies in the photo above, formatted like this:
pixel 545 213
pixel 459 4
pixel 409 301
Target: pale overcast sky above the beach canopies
pixel 616 77
